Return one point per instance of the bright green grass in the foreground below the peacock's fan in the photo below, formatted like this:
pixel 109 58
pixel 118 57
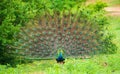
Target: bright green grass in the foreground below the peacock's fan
pixel 102 64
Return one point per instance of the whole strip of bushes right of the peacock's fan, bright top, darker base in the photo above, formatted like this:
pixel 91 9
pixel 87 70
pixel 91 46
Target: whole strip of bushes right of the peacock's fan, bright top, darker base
pixel 95 14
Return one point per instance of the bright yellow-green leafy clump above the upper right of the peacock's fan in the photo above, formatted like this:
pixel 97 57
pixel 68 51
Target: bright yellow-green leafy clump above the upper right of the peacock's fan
pixel 94 13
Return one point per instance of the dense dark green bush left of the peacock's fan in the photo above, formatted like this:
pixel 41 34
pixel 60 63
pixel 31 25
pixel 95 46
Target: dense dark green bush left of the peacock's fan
pixel 13 14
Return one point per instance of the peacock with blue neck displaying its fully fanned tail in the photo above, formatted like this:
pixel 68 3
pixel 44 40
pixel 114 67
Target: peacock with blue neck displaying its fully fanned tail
pixel 44 36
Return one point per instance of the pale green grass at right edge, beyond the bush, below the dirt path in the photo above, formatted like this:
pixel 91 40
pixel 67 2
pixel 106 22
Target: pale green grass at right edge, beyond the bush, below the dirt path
pixel 114 28
